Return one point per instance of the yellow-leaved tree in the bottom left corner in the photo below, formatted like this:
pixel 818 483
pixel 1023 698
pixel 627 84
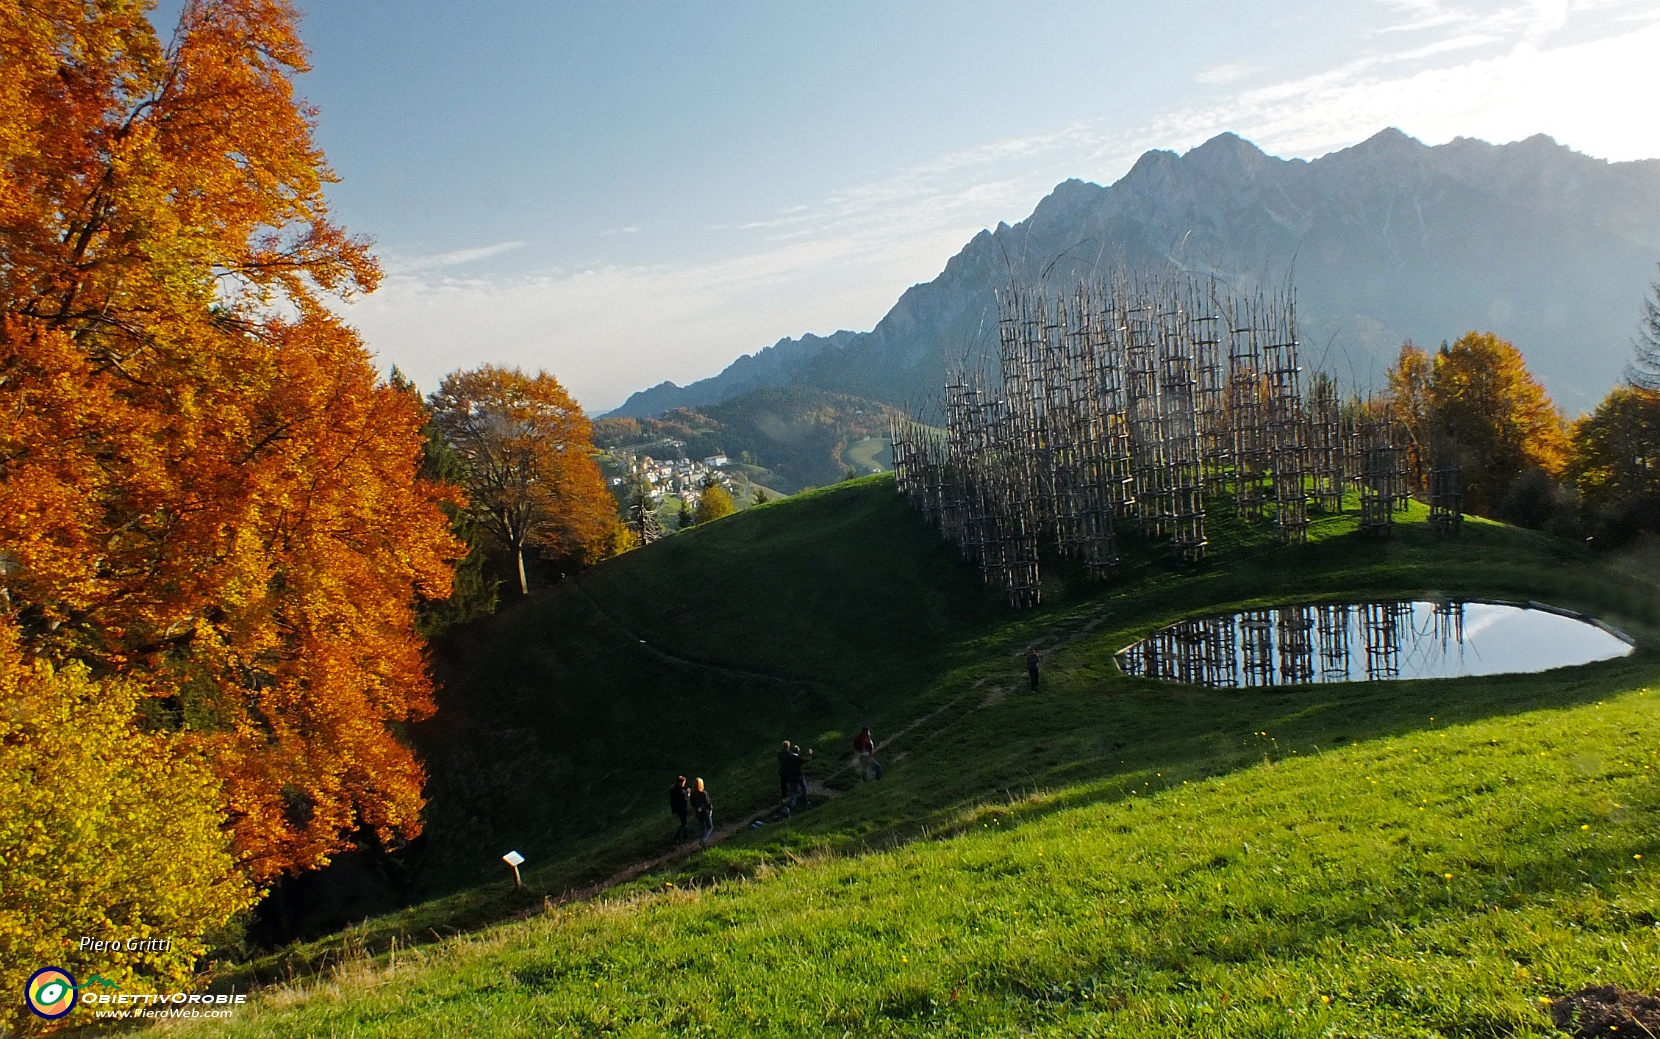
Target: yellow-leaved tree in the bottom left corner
pixel 107 832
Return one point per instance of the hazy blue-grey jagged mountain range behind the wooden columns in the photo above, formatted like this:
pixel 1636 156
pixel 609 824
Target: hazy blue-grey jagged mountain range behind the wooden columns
pixel 1390 240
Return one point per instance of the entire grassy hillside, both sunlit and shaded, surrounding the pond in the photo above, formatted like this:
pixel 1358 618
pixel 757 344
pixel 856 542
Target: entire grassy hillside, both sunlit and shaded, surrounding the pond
pixel 1269 847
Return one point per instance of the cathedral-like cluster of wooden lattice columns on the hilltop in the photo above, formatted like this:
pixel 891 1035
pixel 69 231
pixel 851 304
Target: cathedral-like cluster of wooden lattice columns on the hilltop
pixel 1128 406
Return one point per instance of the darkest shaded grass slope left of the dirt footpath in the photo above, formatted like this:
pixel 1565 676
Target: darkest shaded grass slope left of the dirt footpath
pixel 560 729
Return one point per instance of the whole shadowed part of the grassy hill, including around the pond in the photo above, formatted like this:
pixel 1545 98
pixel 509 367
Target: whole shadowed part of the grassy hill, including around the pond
pixel 560 728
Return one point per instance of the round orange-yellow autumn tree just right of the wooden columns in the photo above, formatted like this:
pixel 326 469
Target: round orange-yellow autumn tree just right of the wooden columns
pixel 1480 401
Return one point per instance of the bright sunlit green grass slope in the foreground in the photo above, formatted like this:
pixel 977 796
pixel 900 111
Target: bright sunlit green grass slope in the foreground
pixel 1443 882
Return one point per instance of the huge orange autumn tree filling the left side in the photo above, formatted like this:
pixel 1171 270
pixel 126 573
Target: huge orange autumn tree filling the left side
pixel 205 487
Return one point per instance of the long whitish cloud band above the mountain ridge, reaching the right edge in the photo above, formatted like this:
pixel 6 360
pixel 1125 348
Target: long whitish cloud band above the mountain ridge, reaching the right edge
pixel 1440 72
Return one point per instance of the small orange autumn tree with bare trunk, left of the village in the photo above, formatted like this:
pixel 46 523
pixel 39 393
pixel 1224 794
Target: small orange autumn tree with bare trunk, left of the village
pixel 529 466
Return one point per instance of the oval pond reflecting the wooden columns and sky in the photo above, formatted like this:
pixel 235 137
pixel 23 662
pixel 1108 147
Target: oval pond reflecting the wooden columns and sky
pixel 1372 643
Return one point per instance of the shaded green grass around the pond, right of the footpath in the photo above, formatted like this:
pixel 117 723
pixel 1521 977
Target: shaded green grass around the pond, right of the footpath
pixel 1093 734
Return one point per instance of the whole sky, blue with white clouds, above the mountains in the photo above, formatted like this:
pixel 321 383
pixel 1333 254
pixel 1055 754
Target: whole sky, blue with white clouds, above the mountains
pixel 645 190
